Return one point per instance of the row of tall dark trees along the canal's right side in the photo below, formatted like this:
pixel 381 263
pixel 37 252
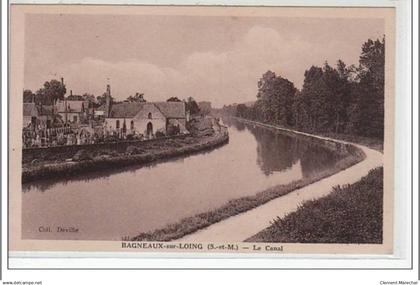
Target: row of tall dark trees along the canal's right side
pixel 339 99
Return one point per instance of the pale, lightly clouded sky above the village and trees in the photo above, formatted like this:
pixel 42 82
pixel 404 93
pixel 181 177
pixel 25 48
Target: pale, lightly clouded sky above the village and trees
pixel 216 59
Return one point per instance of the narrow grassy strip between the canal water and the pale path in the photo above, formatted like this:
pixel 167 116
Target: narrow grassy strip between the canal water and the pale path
pixel 351 155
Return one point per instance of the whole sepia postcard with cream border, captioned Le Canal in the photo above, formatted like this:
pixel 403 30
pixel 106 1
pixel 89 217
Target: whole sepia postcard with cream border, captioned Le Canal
pixel 212 129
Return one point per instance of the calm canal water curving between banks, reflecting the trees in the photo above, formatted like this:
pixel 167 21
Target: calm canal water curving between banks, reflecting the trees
pixel 124 202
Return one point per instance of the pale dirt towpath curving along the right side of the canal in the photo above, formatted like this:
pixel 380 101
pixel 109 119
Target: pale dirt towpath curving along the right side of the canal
pixel 242 226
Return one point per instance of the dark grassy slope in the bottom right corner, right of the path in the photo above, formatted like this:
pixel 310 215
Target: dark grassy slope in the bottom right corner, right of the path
pixel 350 214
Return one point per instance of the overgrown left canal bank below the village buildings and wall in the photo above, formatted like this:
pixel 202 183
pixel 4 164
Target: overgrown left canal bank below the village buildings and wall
pixel 131 155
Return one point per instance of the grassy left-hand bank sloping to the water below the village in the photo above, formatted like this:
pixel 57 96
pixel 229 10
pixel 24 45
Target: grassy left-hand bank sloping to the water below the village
pixel 69 169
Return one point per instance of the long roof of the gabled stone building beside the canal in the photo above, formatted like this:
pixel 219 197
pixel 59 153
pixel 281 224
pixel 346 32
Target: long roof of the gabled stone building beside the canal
pixel 131 109
